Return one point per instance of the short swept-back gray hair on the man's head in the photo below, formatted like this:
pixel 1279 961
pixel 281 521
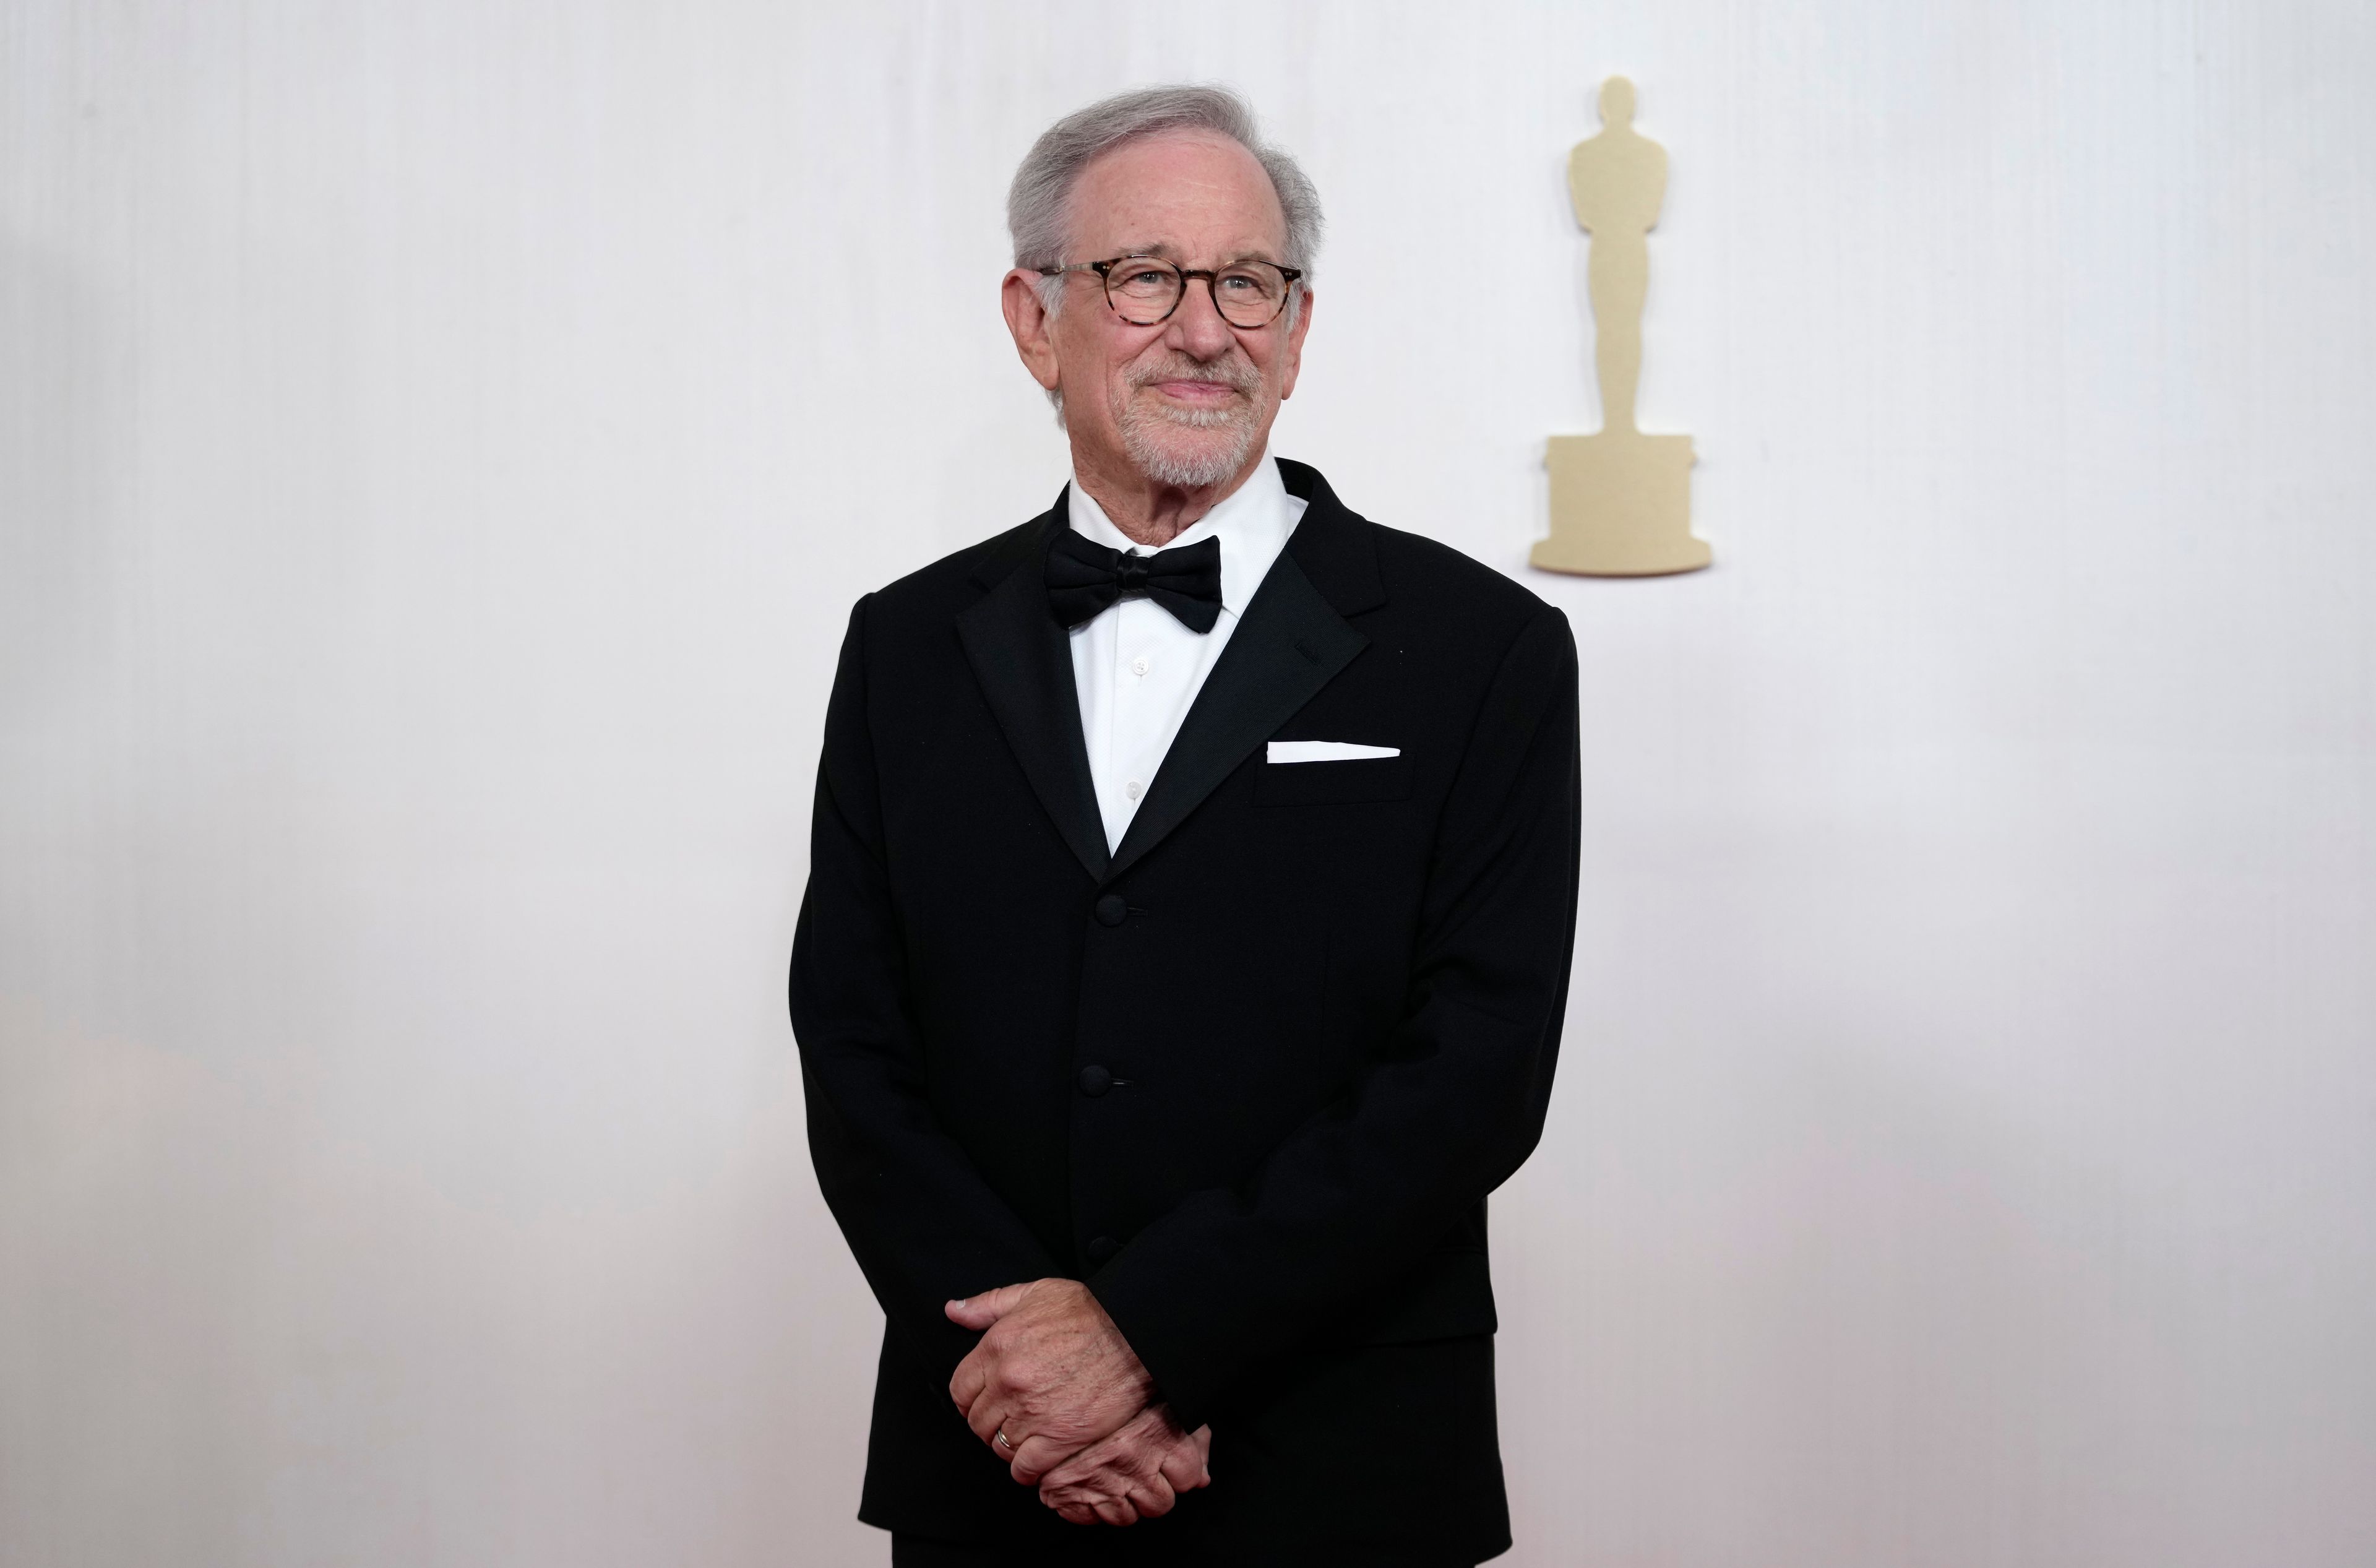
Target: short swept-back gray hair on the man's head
pixel 1042 194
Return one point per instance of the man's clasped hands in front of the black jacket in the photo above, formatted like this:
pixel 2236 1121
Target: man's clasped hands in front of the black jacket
pixel 1059 1393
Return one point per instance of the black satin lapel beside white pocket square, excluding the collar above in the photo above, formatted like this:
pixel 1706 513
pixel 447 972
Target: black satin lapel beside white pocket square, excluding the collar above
pixel 1282 655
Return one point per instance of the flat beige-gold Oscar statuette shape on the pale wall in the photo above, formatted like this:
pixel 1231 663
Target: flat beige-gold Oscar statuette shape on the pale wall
pixel 1622 500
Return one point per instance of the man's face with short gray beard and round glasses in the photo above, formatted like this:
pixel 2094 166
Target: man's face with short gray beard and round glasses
pixel 1187 400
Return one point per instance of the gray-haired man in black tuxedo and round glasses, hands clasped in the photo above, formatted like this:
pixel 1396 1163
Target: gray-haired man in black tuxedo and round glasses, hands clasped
pixel 1187 935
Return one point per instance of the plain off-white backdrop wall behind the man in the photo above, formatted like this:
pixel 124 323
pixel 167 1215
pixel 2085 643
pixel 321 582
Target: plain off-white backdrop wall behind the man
pixel 438 450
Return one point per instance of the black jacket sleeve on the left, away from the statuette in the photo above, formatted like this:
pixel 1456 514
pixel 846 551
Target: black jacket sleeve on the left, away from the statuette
pixel 911 1203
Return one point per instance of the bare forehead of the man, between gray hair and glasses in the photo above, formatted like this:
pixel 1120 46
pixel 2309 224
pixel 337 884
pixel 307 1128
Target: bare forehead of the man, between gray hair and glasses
pixel 1182 191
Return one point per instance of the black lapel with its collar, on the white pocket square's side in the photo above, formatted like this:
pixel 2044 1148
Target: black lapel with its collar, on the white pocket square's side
pixel 1289 647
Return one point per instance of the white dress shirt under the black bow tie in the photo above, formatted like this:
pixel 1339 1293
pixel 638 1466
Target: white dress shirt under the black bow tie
pixel 1137 666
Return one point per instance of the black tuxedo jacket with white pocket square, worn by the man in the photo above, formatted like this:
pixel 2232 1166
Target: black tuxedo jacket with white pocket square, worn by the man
pixel 1251 1075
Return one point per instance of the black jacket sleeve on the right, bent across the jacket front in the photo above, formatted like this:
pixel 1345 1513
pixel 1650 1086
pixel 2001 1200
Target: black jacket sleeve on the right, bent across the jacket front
pixel 1453 1101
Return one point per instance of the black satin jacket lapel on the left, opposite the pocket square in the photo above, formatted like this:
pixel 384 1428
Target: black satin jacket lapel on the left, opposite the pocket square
pixel 1025 669
